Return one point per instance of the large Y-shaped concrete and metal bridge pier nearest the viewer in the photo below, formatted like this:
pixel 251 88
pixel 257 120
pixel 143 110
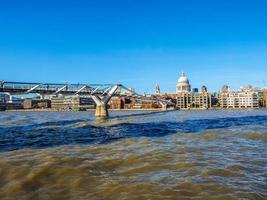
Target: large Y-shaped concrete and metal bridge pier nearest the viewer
pixel 102 102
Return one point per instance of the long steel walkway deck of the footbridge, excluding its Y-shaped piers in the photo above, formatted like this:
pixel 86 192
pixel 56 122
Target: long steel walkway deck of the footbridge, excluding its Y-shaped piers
pixel 16 88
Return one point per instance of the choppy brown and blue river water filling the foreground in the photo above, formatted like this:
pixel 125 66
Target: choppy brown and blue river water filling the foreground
pixel 133 155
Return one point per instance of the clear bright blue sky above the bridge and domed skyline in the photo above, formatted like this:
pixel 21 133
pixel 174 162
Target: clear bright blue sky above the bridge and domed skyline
pixel 137 43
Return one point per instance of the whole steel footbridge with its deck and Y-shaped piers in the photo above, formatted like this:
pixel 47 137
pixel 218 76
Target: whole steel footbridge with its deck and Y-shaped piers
pixel 100 93
